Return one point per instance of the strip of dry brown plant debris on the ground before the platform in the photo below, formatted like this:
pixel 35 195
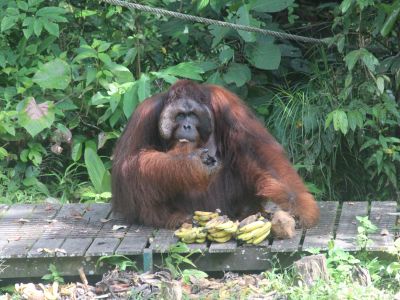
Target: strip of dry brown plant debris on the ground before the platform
pixel 160 285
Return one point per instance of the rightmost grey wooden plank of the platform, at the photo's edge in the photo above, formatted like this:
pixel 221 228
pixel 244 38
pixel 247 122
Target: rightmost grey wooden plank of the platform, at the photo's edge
pixel 383 215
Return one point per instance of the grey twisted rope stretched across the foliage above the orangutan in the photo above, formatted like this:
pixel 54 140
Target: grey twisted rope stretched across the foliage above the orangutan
pixel 164 12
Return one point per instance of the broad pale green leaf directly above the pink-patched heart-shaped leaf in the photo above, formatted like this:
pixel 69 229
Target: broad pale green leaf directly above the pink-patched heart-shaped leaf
pixel 55 74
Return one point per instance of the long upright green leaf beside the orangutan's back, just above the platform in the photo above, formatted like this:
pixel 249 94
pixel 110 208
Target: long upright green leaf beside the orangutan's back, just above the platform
pixel 99 176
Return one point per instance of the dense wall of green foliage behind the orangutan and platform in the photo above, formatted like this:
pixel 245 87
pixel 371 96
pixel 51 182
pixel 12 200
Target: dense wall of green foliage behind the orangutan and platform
pixel 72 73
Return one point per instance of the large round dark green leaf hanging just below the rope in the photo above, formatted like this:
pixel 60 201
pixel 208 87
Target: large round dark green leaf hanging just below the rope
pixel 264 55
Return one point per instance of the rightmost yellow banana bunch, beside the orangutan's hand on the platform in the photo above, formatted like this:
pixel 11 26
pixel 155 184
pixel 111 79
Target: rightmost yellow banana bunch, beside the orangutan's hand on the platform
pixel 253 230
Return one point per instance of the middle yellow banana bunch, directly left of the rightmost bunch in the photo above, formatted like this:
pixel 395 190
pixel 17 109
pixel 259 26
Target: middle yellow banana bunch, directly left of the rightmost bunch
pixel 221 229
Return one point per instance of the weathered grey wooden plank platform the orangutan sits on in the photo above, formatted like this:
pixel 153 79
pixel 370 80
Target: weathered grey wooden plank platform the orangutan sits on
pixel 75 235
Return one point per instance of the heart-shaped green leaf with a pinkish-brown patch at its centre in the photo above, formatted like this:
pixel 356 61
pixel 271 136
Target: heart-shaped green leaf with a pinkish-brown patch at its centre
pixel 35 117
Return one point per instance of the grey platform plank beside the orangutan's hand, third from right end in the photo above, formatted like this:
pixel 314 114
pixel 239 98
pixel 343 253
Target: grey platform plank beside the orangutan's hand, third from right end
pixel 320 235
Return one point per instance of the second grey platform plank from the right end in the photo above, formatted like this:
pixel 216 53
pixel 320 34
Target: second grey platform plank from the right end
pixel 346 233
